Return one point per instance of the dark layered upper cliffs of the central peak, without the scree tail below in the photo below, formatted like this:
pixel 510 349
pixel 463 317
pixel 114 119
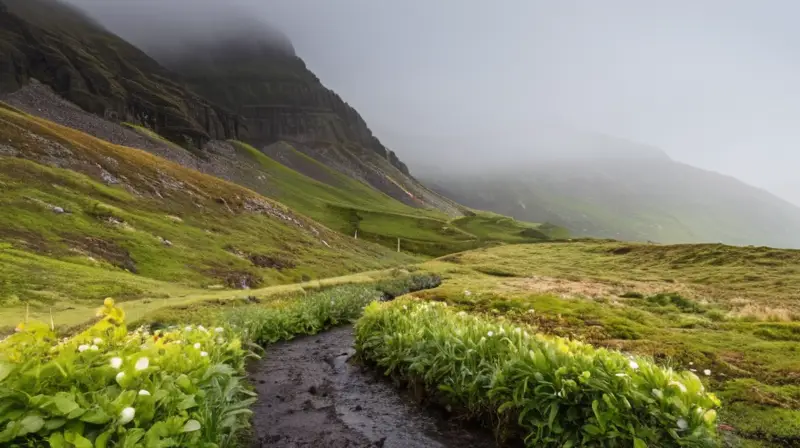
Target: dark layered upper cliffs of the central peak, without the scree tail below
pixel 272 87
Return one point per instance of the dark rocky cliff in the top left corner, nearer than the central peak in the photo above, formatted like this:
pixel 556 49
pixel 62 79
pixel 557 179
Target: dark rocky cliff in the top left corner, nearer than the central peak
pixel 101 73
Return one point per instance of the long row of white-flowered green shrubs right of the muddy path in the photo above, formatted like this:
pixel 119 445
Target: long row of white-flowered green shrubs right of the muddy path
pixel 549 391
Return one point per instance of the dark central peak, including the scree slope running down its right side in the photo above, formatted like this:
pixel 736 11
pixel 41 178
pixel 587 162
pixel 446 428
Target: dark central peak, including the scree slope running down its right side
pixel 283 101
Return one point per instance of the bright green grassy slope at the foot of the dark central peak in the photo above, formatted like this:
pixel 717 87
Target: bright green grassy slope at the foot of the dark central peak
pixel 349 204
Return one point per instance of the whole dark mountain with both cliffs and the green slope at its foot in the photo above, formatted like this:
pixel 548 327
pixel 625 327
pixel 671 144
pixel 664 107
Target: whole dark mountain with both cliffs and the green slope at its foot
pixel 313 153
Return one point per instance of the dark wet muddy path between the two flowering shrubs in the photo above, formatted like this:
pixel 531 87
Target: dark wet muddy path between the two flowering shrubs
pixel 310 395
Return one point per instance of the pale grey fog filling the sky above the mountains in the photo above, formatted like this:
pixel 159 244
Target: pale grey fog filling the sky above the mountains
pixel 712 83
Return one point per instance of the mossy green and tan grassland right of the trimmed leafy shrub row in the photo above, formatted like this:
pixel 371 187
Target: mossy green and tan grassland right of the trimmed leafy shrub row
pixel 738 315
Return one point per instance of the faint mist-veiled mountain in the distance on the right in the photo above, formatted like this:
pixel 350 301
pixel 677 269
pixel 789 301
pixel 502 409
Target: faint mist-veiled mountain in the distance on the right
pixel 606 187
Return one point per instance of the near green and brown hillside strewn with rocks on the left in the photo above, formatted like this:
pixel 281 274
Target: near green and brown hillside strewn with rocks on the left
pixel 50 259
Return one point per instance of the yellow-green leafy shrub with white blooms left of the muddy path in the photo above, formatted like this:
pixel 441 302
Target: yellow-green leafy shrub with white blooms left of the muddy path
pixel 107 387
